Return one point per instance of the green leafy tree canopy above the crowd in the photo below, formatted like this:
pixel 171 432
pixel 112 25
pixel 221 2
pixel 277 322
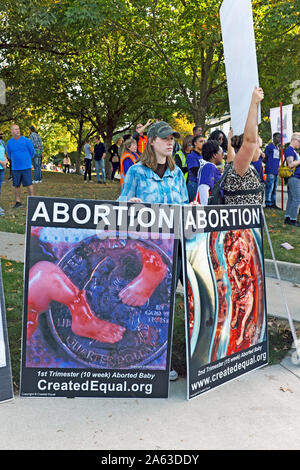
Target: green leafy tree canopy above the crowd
pixel 103 66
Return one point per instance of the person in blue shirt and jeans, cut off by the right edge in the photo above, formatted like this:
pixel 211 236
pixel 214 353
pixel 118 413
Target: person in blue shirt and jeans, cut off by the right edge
pixel 293 162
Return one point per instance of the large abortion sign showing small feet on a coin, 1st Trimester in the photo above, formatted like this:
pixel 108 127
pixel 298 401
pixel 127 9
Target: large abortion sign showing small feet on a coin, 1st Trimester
pixel 98 298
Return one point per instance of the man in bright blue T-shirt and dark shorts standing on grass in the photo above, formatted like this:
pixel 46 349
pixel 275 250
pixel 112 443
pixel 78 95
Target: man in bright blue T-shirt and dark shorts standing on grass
pixel 20 151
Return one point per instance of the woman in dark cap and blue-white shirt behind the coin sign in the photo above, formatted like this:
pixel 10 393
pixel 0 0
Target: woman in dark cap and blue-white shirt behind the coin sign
pixel 155 178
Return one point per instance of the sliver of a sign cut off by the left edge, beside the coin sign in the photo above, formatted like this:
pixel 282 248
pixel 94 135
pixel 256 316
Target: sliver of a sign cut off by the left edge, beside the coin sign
pixel 6 388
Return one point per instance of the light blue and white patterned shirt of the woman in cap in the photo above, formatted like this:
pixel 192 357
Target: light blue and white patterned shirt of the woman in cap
pixel 141 182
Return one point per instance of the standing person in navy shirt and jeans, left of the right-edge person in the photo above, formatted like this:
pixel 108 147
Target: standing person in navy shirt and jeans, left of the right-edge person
pixel 272 160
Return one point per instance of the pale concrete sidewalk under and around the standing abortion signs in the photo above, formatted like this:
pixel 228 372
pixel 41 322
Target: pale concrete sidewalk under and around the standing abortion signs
pixel 260 410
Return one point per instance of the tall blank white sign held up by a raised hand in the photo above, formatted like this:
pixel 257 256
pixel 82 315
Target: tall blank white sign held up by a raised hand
pixel 240 59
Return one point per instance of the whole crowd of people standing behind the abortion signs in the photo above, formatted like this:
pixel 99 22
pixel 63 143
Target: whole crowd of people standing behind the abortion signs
pixel 153 167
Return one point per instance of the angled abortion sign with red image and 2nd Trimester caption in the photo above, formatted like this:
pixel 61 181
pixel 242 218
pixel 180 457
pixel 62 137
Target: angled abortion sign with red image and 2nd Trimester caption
pixel 225 301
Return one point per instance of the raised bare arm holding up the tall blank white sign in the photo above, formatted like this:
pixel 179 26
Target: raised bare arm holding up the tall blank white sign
pixel 244 156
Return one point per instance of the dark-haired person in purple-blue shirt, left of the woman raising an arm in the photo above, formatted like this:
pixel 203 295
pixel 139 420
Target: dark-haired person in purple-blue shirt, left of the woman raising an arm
pixel 208 173
